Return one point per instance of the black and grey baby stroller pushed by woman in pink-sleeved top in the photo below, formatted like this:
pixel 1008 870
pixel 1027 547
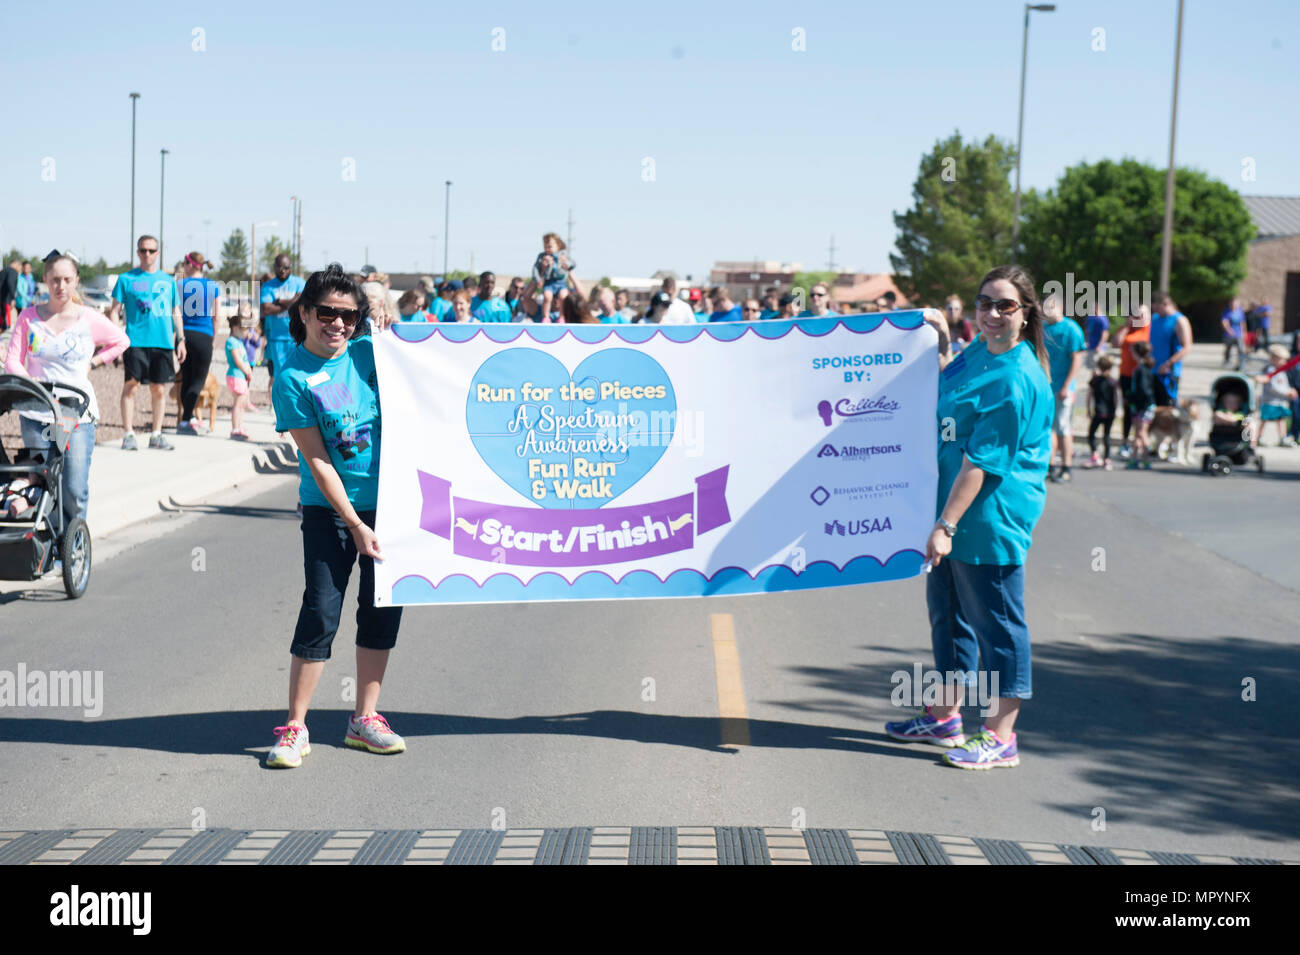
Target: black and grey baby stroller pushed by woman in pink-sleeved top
pixel 32 541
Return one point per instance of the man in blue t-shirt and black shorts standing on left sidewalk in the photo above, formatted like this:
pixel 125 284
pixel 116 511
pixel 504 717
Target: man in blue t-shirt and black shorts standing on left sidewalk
pixel 149 303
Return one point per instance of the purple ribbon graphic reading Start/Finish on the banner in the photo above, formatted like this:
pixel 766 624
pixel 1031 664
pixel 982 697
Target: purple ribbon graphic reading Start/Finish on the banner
pixel 547 537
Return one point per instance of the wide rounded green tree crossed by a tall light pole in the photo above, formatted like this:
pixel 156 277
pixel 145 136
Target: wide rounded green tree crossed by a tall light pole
pixel 1104 223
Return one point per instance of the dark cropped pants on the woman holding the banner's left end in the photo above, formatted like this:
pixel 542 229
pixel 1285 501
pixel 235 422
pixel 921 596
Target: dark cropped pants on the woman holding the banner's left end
pixel 328 558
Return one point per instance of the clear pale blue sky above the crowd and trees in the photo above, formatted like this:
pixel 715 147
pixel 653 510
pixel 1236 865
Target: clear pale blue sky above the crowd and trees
pixel 759 150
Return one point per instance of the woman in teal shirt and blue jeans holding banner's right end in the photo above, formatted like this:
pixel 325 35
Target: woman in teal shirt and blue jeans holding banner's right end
pixel 995 415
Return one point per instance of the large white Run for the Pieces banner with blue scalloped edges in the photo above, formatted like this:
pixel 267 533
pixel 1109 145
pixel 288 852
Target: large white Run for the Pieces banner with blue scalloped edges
pixel 591 462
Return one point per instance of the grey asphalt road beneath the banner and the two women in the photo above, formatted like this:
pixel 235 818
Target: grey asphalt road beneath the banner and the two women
pixel 535 715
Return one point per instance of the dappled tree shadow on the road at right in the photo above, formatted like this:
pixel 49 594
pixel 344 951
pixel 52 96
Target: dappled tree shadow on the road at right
pixel 1158 726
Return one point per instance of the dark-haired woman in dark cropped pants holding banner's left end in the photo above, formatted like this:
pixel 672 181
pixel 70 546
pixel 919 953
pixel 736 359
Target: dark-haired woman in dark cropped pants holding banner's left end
pixel 327 398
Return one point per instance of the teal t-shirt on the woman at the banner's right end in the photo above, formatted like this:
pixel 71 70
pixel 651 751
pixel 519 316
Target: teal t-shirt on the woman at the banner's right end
pixel 1002 410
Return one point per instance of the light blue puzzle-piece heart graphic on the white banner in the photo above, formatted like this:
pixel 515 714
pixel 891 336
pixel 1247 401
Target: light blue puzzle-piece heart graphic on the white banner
pixel 623 437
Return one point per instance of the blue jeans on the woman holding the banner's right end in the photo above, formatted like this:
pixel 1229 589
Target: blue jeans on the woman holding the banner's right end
pixel 977 611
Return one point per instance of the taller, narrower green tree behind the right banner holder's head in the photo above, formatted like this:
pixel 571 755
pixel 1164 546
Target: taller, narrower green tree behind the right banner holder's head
pixel 960 225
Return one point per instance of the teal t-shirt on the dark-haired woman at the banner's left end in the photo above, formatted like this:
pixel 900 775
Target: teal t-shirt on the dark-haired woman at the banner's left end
pixel 341 397
